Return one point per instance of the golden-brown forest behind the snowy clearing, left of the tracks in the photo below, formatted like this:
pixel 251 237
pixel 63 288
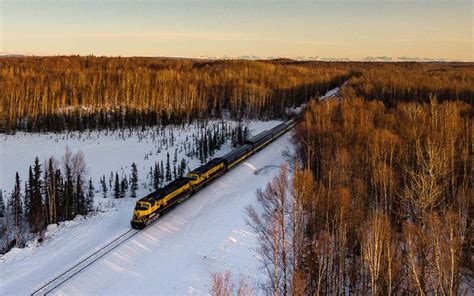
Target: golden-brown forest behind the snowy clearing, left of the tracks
pixel 75 93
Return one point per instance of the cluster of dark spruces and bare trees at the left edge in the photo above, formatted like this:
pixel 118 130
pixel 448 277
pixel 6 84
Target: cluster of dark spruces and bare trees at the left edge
pixel 49 195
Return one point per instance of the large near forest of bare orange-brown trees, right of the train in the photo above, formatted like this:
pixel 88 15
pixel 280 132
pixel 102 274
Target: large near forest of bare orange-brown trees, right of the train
pixel 382 204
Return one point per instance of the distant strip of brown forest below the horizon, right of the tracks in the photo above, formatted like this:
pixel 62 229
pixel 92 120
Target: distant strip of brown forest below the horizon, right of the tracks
pixel 407 82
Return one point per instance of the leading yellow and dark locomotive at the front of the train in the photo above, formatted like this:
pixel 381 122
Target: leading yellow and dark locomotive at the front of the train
pixel 150 207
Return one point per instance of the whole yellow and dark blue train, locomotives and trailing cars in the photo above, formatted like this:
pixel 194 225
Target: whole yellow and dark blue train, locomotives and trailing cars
pixel 152 206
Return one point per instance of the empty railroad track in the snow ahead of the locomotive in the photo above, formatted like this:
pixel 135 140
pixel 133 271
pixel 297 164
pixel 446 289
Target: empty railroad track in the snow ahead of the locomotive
pixel 84 263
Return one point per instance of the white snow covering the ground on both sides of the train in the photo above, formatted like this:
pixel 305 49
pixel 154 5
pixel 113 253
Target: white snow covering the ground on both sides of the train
pixel 176 255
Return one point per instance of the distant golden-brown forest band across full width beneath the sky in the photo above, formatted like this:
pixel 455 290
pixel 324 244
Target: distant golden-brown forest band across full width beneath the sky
pixel 87 92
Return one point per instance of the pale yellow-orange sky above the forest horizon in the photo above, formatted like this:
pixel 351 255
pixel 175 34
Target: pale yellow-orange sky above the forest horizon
pixel 433 29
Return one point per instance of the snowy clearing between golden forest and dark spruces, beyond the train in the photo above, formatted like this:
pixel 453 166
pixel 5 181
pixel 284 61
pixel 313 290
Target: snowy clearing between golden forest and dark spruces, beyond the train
pixel 104 151
